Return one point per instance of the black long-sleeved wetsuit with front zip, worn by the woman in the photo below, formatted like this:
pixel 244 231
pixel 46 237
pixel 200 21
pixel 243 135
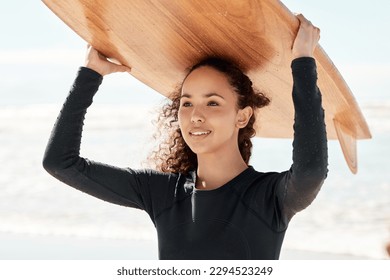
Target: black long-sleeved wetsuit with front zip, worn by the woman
pixel 244 219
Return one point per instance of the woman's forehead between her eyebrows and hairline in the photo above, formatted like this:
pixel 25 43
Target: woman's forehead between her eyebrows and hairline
pixel 205 80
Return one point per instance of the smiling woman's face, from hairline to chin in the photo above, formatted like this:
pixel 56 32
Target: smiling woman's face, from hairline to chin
pixel 208 115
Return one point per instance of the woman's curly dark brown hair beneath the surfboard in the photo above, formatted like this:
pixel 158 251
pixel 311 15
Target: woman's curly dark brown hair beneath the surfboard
pixel 173 154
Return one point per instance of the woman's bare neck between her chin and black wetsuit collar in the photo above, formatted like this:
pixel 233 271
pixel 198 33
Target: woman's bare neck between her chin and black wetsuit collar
pixel 215 170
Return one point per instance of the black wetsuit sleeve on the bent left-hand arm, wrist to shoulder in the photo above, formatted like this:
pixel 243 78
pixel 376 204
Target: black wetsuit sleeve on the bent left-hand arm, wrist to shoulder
pixel 122 186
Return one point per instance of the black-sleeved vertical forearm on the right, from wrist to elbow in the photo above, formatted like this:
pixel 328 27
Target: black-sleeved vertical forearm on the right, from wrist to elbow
pixel 310 141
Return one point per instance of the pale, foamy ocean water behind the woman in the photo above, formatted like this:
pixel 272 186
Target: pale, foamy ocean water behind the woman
pixel 351 215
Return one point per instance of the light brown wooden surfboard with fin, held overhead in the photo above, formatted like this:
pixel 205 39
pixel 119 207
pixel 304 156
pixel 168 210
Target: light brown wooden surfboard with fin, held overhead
pixel 161 39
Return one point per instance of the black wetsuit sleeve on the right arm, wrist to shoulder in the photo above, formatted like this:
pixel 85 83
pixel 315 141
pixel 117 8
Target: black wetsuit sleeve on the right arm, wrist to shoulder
pixel 303 181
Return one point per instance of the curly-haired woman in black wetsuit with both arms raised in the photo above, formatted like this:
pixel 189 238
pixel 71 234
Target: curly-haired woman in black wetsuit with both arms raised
pixel 209 204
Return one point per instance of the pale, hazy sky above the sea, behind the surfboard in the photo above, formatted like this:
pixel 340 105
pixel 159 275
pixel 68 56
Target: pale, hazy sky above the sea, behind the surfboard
pixel 39 54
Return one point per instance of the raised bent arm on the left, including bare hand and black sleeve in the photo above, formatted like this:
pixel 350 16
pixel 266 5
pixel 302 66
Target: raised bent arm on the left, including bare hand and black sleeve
pixel 62 159
